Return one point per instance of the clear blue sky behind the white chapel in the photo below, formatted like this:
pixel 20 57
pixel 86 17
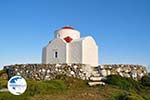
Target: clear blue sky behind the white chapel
pixel 120 27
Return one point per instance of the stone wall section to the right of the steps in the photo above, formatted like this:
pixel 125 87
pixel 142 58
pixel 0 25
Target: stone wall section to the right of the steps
pixel 125 70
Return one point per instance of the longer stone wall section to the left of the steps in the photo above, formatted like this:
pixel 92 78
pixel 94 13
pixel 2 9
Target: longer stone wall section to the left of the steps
pixel 49 71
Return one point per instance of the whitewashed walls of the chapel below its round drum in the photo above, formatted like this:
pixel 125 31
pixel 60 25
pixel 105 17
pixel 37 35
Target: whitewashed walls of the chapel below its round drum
pixel 83 51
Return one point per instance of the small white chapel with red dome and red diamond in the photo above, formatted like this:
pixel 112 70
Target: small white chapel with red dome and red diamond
pixel 68 47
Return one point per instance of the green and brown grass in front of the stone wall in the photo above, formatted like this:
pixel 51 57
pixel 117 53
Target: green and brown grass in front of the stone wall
pixel 67 88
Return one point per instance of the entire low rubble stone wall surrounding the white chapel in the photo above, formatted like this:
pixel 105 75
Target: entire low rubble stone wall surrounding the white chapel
pixel 85 72
